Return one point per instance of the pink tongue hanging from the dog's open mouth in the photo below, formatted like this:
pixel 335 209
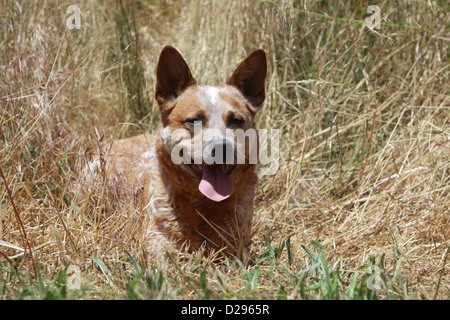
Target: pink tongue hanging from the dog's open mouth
pixel 216 184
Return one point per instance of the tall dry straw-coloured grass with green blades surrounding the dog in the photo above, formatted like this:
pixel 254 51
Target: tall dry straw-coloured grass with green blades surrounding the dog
pixel 360 205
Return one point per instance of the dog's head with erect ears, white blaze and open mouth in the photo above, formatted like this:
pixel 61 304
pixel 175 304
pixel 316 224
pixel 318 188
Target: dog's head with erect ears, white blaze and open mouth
pixel 210 131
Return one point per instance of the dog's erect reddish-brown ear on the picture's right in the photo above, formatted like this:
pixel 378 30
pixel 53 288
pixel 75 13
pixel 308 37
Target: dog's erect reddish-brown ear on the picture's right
pixel 249 78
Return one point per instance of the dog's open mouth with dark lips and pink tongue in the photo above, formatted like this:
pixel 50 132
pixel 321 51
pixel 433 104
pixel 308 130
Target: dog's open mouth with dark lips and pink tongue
pixel 216 183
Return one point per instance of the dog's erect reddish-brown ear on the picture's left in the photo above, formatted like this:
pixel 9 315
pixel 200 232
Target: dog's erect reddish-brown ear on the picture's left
pixel 172 75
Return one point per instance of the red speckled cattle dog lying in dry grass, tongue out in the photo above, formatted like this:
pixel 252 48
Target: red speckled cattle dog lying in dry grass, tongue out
pixel 188 199
